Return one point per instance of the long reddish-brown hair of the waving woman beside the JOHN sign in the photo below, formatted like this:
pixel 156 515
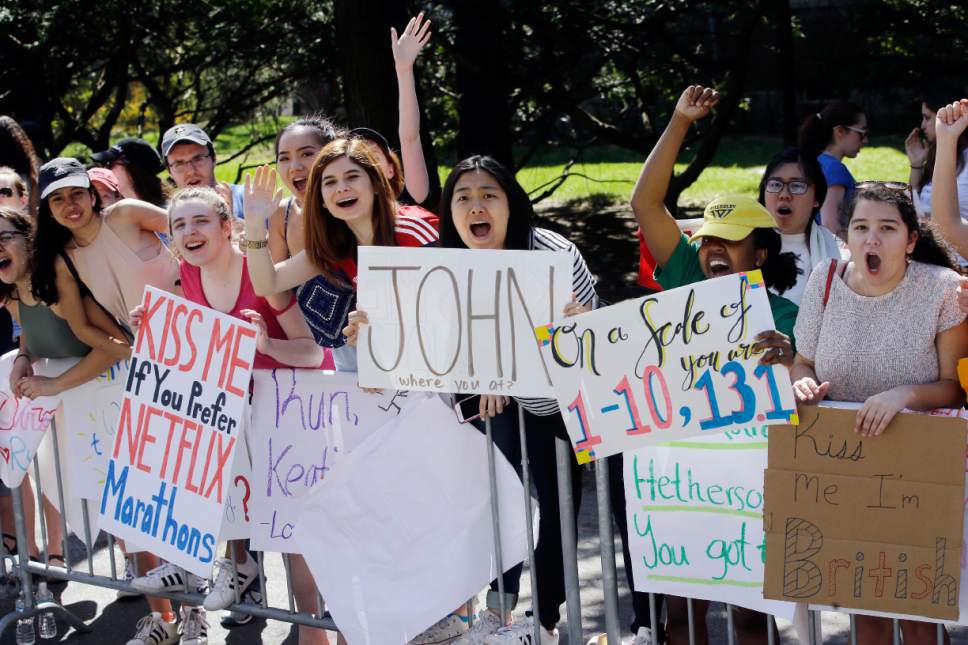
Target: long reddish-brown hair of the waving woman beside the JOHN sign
pixel 328 239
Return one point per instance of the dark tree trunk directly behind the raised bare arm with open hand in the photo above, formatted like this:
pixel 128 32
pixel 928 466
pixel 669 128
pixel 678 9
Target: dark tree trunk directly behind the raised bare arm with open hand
pixel 369 79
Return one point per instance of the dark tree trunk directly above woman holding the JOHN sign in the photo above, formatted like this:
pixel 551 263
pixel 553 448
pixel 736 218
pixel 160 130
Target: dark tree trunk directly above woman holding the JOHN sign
pixel 484 117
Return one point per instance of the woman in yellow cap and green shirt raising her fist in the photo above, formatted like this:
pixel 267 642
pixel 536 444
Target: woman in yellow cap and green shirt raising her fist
pixel 737 235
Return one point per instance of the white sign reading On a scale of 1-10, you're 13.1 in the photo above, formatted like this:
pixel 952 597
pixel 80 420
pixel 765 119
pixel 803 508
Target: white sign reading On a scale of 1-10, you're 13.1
pixel 667 366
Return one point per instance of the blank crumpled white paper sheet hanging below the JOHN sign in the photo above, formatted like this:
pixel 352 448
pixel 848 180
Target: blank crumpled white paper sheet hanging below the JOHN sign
pixel 408 509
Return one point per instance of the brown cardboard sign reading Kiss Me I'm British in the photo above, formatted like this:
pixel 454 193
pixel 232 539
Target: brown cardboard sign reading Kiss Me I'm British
pixel 866 522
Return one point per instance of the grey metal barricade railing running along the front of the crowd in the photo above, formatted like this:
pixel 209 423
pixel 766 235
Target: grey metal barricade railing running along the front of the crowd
pixel 23 569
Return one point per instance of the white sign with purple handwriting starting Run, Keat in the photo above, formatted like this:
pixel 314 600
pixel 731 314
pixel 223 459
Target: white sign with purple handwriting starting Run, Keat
pixel 304 422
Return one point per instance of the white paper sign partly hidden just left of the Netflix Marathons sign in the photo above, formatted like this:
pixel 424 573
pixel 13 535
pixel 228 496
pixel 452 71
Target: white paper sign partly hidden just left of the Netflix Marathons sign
pixel 91 417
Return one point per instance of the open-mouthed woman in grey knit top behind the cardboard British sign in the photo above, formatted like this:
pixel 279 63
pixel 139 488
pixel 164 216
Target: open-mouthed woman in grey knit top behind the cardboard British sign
pixel 896 298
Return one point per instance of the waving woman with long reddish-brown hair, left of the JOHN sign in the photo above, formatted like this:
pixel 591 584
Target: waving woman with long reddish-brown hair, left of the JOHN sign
pixel 349 203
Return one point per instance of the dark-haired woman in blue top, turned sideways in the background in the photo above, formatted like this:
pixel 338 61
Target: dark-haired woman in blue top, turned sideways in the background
pixel 839 130
